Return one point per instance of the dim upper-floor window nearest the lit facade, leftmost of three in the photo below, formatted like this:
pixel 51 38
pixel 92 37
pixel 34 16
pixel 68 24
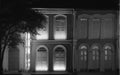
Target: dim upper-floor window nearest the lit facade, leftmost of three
pixel 82 26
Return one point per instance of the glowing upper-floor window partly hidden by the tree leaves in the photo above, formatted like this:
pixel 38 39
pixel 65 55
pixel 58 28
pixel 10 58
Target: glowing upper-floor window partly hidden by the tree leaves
pixel 43 32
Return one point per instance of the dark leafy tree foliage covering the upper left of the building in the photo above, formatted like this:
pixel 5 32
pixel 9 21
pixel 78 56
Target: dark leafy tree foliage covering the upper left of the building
pixel 16 19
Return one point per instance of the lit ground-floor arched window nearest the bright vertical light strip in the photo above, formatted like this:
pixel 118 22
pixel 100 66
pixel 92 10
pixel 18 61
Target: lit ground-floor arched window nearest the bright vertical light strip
pixel 42 58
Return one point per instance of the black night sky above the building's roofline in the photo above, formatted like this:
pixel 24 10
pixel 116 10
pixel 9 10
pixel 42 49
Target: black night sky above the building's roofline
pixel 81 4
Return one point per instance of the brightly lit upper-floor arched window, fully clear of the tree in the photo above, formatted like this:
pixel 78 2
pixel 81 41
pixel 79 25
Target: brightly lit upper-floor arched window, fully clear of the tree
pixel 60 27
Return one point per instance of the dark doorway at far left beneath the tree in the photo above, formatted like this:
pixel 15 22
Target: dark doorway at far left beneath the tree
pixel 13 59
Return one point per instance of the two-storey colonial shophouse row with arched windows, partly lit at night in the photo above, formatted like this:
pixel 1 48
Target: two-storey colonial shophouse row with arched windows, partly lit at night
pixel 71 41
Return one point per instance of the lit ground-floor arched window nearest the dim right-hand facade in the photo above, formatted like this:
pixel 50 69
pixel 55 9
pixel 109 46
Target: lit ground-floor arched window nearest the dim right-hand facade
pixel 59 58
